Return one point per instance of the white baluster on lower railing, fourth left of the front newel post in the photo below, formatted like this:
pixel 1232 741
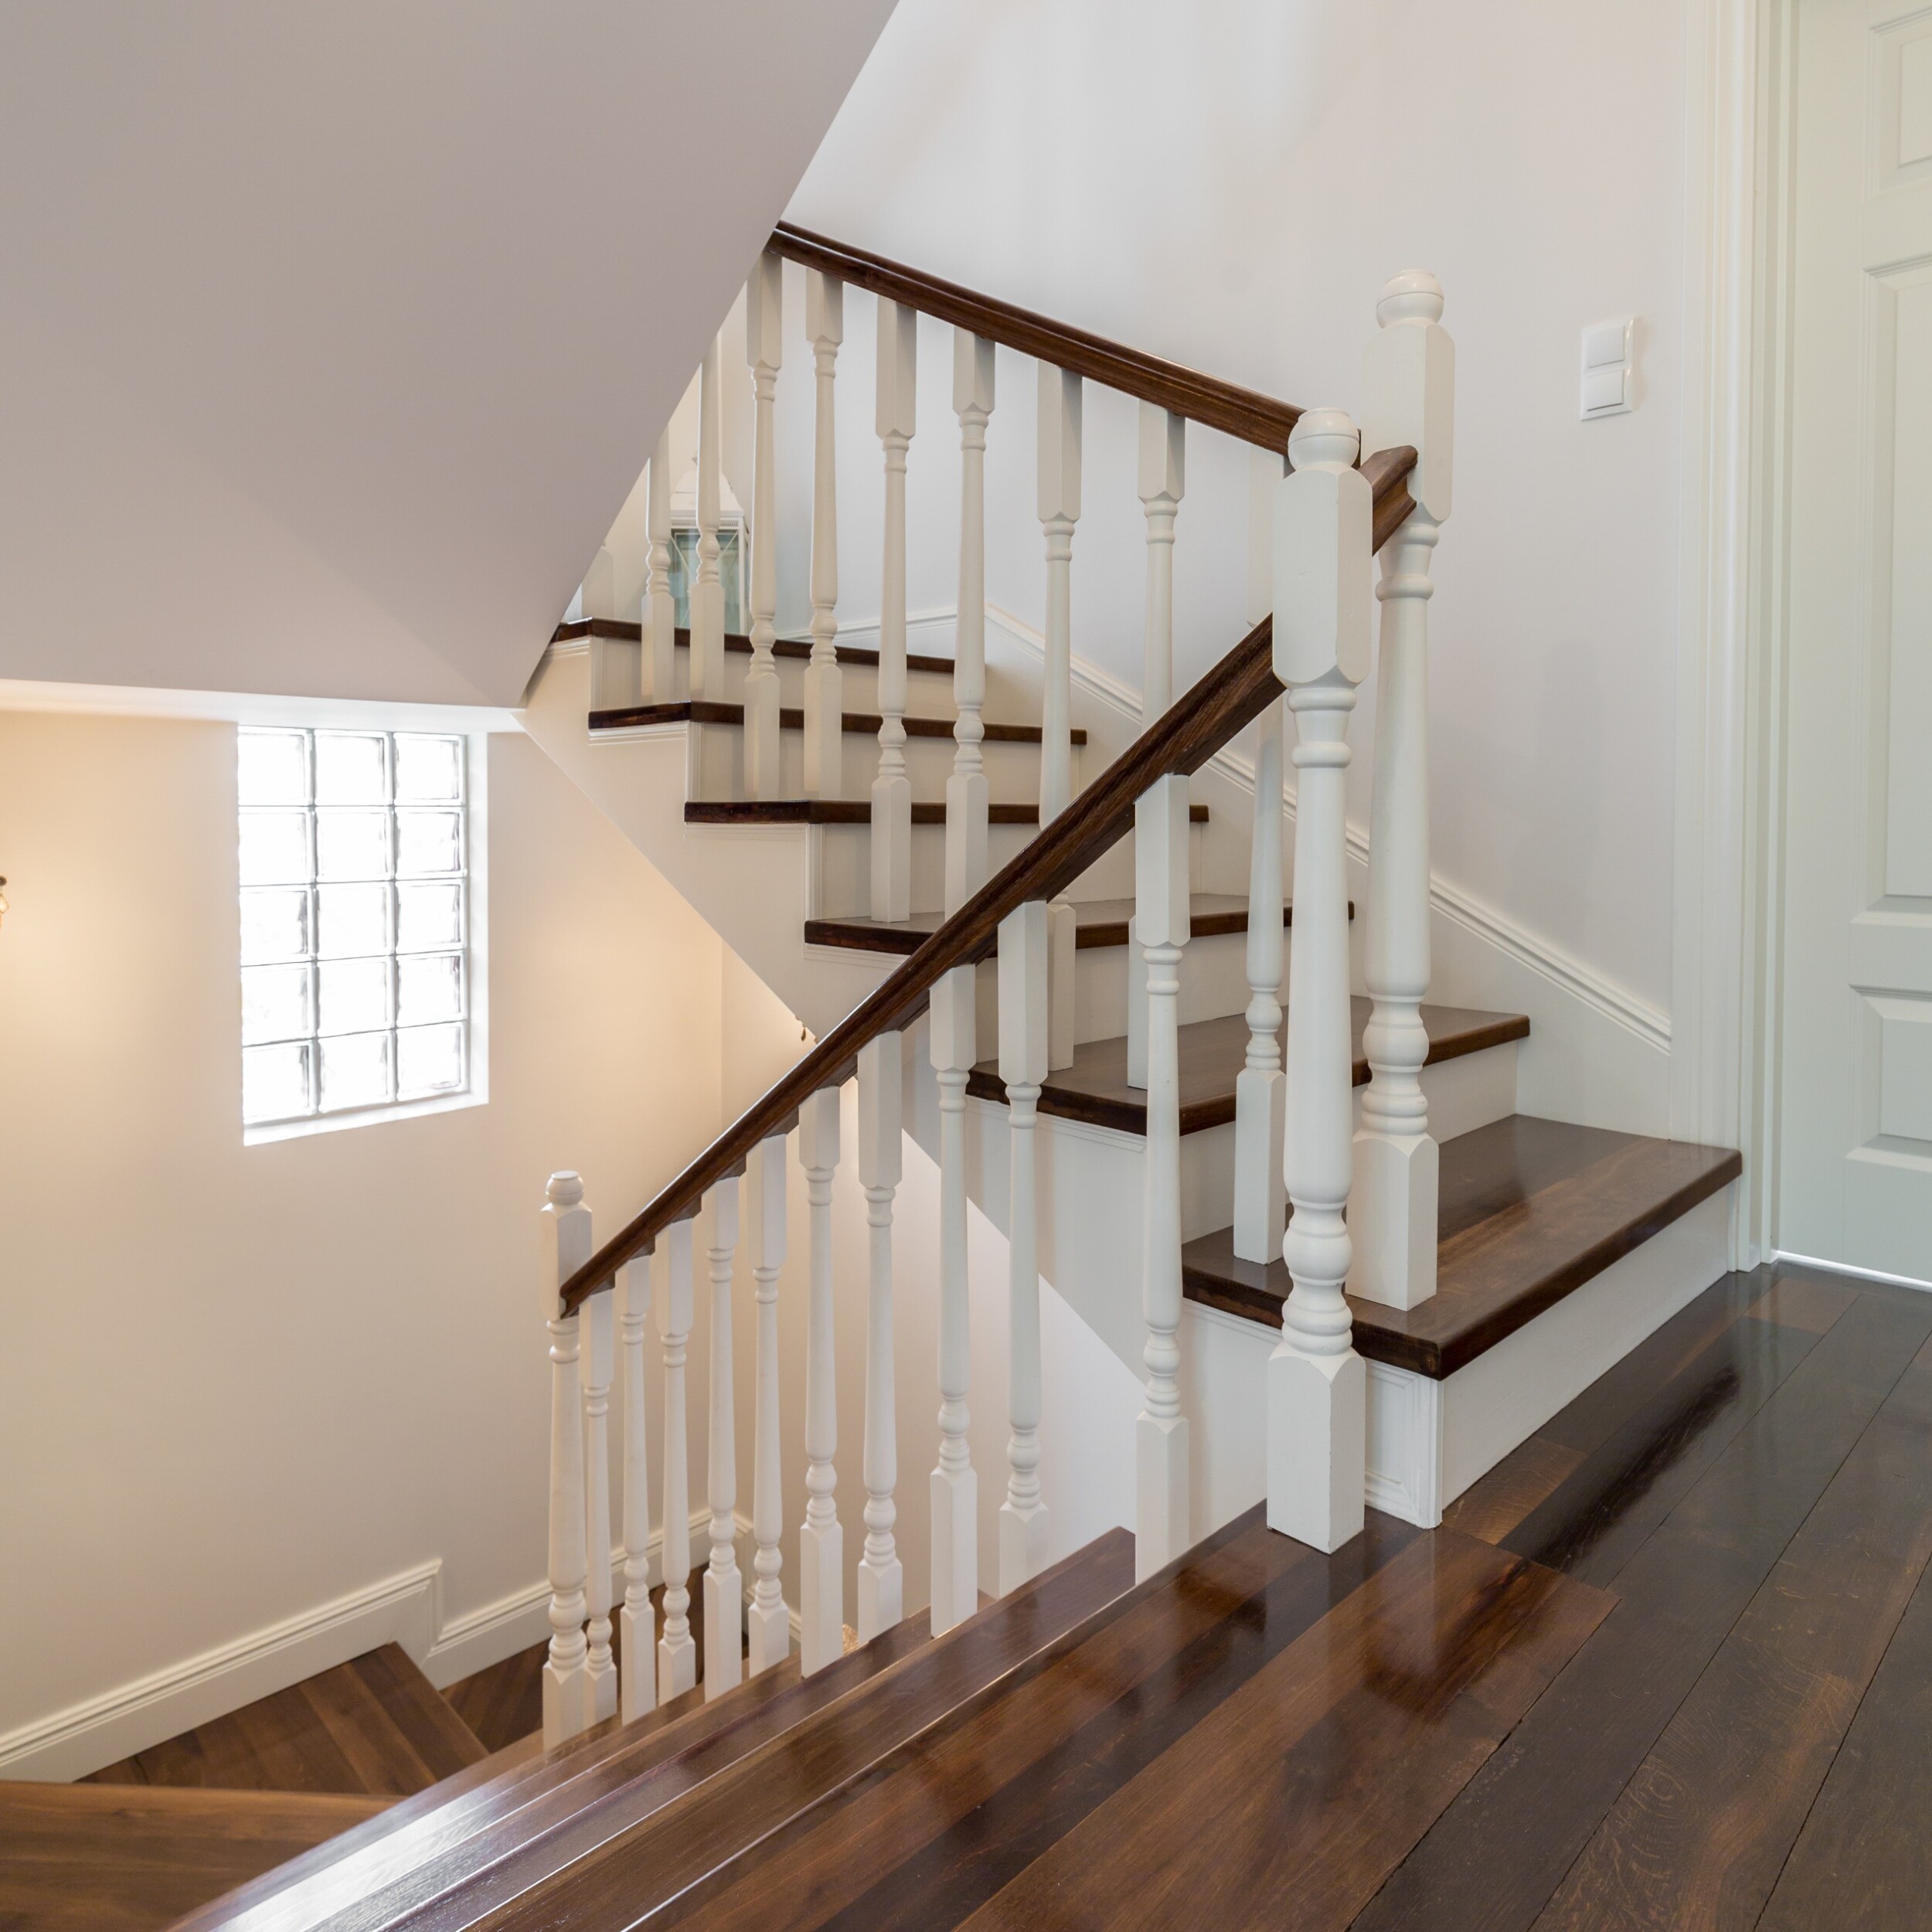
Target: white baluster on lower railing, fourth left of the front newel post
pixel 882 1593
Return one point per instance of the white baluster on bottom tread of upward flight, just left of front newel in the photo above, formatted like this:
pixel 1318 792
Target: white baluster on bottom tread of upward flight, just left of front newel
pixel 1261 1205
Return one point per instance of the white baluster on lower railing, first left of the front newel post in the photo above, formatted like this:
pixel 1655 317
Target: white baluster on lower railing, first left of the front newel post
pixel 1162 913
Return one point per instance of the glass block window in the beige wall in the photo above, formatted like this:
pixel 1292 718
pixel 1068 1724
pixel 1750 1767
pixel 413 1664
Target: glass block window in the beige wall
pixel 355 921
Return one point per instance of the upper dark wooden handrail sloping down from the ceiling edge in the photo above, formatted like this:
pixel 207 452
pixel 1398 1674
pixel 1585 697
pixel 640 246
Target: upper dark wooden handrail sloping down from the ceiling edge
pixel 1226 407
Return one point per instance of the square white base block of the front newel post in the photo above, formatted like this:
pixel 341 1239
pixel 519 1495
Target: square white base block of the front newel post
pixel 1317 1446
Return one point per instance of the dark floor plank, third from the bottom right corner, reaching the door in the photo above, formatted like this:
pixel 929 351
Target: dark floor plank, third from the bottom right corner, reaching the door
pixel 1506 1844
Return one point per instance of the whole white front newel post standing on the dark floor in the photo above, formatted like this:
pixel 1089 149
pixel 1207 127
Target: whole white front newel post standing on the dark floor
pixel 1317 1384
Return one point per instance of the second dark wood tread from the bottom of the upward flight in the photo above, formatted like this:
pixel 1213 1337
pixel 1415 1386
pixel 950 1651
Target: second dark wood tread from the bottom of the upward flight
pixel 1212 1054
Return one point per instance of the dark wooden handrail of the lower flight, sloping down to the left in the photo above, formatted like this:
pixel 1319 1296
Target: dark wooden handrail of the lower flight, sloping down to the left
pixel 1181 741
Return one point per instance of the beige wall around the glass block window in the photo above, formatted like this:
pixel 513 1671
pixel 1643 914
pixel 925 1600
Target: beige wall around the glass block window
pixel 242 1382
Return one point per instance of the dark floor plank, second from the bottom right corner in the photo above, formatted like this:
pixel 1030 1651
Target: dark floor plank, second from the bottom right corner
pixel 1701 1833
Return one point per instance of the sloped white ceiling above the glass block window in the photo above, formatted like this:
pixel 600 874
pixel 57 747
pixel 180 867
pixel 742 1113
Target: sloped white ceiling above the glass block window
pixel 333 335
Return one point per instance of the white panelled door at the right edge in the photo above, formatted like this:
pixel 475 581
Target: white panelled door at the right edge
pixel 1856 1093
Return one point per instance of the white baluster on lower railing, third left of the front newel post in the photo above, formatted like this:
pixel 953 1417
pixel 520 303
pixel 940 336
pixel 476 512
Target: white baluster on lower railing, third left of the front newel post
pixel 955 1492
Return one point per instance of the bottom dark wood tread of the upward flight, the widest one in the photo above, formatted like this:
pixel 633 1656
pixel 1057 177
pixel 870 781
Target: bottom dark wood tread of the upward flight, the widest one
pixel 1529 1210
